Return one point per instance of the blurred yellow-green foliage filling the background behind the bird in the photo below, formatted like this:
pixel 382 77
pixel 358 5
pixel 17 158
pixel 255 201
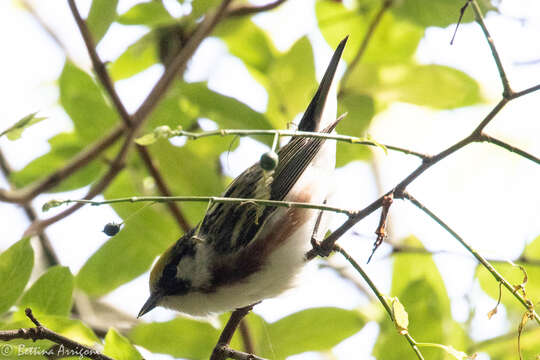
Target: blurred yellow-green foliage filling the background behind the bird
pixel 386 73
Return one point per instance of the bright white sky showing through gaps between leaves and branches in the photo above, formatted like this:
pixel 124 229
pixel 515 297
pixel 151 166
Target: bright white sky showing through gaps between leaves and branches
pixel 488 195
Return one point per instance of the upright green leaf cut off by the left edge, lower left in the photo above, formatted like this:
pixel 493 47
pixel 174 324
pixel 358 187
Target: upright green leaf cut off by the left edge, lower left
pixel 15 267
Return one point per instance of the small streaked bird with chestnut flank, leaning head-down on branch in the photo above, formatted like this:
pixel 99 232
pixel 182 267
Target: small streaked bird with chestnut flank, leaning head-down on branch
pixel 241 253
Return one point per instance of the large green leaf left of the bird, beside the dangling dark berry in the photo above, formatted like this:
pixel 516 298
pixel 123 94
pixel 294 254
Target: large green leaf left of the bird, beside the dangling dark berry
pixel 130 253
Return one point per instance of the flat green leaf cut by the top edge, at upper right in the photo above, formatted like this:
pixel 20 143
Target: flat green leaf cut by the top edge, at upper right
pixel 436 12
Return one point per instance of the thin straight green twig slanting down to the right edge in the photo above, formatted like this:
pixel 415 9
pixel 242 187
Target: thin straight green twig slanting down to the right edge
pixel 526 303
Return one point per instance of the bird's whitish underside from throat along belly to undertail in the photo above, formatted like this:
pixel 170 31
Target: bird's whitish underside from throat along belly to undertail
pixel 283 264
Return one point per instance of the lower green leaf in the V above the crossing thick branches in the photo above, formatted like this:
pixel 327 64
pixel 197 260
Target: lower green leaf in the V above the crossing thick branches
pixel 139 56
